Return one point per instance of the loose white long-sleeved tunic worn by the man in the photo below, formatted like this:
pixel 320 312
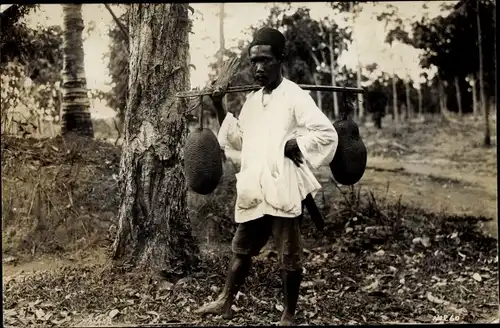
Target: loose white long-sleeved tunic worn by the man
pixel 268 182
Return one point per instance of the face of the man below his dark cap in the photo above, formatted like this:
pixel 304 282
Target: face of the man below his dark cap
pixel 265 67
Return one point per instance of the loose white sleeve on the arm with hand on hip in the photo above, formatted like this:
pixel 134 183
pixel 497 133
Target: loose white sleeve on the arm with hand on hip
pixel 319 141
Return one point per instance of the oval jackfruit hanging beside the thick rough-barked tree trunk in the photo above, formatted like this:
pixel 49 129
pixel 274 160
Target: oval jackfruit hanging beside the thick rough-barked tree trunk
pixel 202 161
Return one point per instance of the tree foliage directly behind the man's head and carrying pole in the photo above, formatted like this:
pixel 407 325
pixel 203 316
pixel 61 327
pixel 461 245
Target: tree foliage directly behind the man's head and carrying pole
pixel 306 54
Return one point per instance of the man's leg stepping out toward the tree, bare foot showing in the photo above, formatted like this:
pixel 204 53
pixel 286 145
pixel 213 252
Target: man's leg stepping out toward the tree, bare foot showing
pixel 249 239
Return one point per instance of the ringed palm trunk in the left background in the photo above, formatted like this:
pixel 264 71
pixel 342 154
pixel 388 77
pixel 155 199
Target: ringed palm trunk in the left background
pixel 75 106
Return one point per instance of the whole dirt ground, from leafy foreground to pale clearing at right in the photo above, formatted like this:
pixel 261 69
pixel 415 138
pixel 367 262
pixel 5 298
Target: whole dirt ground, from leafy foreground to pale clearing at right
pixel 429 258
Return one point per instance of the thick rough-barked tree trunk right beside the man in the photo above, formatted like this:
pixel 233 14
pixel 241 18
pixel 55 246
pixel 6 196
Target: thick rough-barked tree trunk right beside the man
pixel 154 230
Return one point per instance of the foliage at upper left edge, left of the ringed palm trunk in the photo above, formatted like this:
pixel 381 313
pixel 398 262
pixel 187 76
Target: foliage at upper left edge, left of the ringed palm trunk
pixel 31 63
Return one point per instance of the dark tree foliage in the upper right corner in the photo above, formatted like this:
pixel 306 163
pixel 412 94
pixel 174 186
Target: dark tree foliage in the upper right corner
pixel 450 43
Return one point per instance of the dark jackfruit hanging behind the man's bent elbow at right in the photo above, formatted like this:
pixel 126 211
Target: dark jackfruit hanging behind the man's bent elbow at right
pixel 349 163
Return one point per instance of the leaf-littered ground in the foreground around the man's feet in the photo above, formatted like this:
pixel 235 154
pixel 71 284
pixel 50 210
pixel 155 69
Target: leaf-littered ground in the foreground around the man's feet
pixel 409 267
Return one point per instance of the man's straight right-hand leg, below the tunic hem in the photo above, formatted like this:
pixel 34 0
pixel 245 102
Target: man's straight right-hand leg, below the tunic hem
pixel 286 232
